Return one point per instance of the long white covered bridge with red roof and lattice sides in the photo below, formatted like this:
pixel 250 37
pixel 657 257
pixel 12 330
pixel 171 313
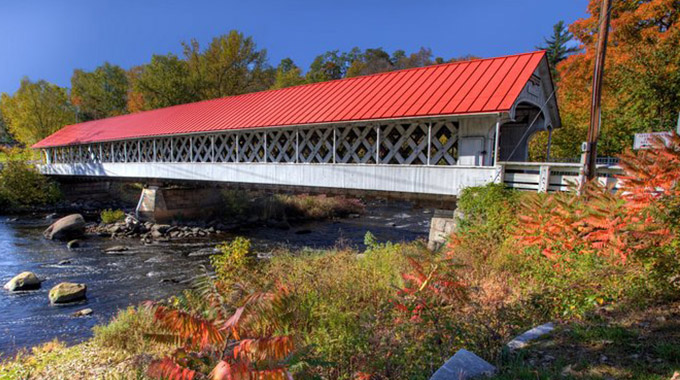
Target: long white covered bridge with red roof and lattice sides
pixel 429 130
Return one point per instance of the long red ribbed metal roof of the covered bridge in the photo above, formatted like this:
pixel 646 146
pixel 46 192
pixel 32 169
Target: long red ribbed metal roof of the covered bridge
pixel 477 86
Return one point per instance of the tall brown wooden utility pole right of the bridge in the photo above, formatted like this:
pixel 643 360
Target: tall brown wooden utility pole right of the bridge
pixel 590 147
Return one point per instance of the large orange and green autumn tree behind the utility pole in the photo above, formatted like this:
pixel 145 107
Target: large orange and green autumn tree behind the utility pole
pixel 641 89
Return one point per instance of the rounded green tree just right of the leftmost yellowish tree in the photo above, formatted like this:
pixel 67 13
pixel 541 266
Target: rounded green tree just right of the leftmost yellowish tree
pixel 100 93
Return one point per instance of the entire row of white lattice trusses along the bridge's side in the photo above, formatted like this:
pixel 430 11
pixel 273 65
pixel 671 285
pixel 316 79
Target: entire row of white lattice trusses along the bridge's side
pixel 405 143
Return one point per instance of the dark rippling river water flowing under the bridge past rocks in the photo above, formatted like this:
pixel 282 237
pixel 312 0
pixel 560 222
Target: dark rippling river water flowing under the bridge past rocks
pixel 147 272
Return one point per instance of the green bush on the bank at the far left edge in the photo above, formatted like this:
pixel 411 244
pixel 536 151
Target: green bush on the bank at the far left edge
pixel 22 186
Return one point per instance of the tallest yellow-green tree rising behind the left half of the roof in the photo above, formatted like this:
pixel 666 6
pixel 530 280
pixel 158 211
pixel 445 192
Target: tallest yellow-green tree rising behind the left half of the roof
pixel 231 65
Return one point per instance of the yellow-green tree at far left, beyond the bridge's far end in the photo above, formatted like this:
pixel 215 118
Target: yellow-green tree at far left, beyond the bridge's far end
pixel 36 110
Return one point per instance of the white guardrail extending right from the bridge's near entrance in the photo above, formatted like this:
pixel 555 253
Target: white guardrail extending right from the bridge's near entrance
pixel 553 176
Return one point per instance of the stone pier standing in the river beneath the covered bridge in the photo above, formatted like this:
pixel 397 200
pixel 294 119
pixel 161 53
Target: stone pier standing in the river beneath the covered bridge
pixel 162 205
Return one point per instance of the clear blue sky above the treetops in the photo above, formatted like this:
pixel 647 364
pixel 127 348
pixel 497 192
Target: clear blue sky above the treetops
pixel 49 39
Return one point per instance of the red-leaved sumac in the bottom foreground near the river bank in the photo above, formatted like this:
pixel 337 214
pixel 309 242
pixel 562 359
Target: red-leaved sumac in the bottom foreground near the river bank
pixel 216 344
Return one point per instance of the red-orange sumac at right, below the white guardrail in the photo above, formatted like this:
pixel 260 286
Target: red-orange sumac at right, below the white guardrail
pixel 637 219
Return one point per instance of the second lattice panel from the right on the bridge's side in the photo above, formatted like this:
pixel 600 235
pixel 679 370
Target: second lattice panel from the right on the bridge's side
pixel 404 144
